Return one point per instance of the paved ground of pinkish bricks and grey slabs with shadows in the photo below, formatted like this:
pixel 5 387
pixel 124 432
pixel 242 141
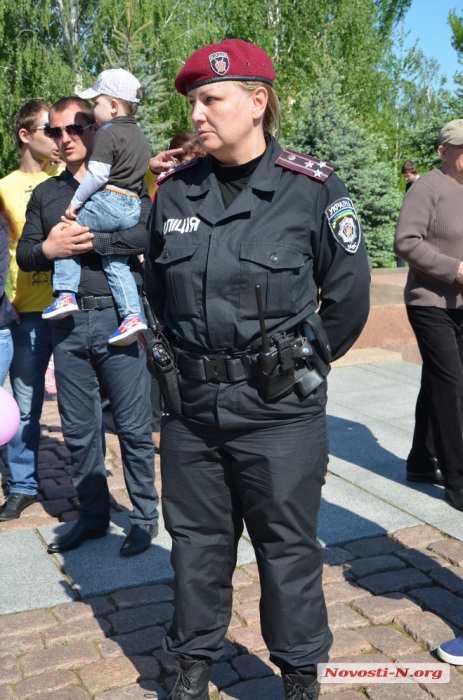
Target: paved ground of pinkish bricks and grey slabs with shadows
pixel 393 573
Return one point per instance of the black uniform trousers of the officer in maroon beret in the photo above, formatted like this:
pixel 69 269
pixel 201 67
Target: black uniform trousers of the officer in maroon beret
pixel 271 478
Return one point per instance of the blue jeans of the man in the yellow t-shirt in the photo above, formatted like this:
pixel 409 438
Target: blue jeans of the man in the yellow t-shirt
pixel 32 350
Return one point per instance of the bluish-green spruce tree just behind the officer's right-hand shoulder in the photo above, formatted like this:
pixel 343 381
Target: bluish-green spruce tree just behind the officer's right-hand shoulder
pixel 331 130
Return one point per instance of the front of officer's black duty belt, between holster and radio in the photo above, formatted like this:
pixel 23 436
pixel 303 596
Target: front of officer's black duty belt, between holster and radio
pixel 227 369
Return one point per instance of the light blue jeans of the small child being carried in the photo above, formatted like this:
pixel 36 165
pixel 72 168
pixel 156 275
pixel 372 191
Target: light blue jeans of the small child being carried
pixel 105 211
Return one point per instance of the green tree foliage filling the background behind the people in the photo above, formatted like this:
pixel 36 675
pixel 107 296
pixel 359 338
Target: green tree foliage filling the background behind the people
pixel 393 96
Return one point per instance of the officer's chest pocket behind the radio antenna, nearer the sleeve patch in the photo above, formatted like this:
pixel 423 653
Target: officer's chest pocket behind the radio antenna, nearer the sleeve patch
pixel 278 271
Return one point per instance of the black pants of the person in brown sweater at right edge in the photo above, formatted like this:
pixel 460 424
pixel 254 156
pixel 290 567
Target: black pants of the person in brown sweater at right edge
pixel 439 408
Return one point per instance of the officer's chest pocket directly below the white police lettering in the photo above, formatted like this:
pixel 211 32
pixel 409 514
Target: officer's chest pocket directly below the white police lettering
pixel 177 262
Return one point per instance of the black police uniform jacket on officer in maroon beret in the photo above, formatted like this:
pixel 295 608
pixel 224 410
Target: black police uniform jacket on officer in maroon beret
pixel 203 264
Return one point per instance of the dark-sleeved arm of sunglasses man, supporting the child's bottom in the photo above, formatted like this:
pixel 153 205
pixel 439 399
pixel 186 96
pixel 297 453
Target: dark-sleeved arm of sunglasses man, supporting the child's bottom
pixel 130 241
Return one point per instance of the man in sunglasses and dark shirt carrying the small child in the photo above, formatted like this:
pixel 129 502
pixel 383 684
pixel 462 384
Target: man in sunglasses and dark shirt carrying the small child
pixel 82 355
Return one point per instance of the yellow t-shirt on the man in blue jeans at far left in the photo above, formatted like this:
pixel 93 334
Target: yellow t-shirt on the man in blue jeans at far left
pixel 32 291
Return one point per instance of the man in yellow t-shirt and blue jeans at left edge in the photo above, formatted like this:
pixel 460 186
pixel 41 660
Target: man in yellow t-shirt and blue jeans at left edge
pixel 31 292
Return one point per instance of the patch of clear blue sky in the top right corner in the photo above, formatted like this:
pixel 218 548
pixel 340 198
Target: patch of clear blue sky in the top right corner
pixel 427 21
